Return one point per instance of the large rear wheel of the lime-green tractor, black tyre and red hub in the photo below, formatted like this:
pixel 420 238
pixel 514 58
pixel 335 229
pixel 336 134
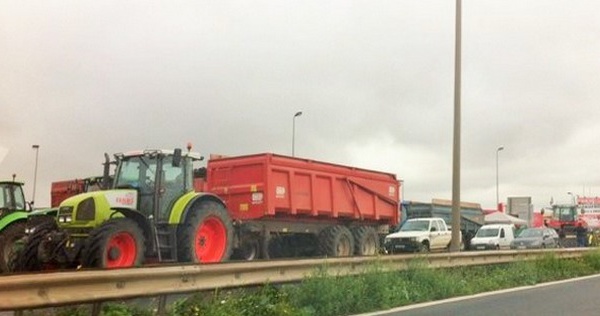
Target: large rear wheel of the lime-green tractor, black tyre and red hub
pixel 208 219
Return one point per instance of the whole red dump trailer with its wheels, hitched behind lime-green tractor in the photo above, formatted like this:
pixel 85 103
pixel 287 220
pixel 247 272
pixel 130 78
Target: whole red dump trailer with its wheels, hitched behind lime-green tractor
pixel 289 207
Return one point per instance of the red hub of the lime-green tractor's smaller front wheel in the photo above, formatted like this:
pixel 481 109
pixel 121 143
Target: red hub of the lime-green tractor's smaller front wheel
pixel 121 251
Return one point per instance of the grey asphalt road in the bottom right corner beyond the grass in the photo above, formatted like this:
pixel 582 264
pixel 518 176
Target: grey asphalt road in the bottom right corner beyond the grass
pixel 570 297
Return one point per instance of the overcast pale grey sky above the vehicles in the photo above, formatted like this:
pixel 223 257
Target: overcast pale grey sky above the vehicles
pixel 374 80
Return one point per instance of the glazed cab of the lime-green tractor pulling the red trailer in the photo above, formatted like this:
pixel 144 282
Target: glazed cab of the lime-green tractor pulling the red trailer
pixel 160 178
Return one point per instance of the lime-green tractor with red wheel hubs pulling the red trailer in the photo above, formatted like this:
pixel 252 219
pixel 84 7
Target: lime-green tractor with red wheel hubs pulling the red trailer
pixel 151 214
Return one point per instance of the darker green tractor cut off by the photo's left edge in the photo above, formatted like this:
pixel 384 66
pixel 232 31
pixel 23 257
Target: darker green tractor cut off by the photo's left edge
pixel 13 216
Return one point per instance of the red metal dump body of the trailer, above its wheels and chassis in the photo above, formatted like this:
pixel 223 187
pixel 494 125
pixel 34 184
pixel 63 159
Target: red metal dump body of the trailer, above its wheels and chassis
pixel 269 186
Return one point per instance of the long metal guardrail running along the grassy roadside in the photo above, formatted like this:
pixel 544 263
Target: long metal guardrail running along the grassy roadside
pixel 40 290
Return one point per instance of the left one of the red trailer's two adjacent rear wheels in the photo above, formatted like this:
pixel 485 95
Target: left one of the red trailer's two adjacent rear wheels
pixel 336 241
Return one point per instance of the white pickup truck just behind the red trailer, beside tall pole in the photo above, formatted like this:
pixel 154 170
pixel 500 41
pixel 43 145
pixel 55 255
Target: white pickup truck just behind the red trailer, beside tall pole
pixel 419 234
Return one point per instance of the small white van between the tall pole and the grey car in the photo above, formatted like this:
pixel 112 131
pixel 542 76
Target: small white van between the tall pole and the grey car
pixel 493 236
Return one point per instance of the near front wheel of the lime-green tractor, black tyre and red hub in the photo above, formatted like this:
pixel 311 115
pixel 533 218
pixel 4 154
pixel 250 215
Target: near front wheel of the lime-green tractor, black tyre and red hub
pixel 118 243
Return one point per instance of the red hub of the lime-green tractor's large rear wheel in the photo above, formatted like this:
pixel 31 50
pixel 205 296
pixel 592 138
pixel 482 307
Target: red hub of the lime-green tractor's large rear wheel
pixel 211 240
